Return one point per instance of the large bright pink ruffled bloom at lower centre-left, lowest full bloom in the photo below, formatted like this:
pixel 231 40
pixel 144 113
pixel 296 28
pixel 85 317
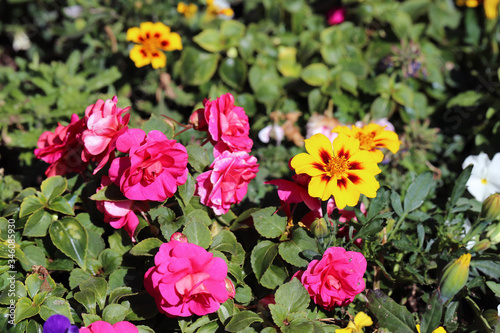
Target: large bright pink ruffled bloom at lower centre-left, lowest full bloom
pixel 187 280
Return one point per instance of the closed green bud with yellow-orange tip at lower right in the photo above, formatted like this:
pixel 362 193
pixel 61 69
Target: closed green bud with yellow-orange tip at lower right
pixel 454 277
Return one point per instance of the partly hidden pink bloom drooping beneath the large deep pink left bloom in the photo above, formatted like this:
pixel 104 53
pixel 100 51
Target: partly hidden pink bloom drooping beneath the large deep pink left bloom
pixel 121 214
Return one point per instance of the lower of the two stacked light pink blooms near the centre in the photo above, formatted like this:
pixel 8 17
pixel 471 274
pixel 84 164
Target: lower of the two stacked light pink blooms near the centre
pixel 227 180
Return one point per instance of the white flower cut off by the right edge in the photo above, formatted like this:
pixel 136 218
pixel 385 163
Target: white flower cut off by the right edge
pixel 485 177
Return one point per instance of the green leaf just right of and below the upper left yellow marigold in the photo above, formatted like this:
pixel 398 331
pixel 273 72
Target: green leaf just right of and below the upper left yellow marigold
pixel 197 67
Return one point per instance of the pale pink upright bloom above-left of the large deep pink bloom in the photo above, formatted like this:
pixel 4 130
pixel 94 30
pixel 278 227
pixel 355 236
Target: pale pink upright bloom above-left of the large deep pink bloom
pixel 105 123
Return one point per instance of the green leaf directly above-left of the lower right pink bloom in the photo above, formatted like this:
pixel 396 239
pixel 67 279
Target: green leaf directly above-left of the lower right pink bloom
pixel 292 249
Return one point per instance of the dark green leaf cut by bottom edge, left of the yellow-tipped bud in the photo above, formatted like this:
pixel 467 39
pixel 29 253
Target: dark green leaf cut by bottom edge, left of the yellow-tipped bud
pixel 390 315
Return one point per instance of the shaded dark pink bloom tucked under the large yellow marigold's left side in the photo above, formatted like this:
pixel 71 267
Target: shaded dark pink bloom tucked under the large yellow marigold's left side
pixel 295 192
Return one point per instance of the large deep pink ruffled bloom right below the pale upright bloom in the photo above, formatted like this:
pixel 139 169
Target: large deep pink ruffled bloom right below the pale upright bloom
pixel 154 168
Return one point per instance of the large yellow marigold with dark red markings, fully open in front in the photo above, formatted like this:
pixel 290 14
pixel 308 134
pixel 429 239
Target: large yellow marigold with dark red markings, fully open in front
pixel 340 169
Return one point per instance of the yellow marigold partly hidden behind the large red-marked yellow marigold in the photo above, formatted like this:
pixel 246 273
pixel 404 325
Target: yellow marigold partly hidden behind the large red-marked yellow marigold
pixel 372 138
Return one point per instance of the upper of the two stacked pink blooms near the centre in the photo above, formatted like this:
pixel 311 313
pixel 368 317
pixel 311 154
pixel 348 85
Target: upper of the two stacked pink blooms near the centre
pixel 227 124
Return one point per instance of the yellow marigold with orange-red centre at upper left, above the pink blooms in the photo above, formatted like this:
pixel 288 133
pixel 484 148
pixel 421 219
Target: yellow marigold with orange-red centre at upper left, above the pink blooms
pixel 152 39
